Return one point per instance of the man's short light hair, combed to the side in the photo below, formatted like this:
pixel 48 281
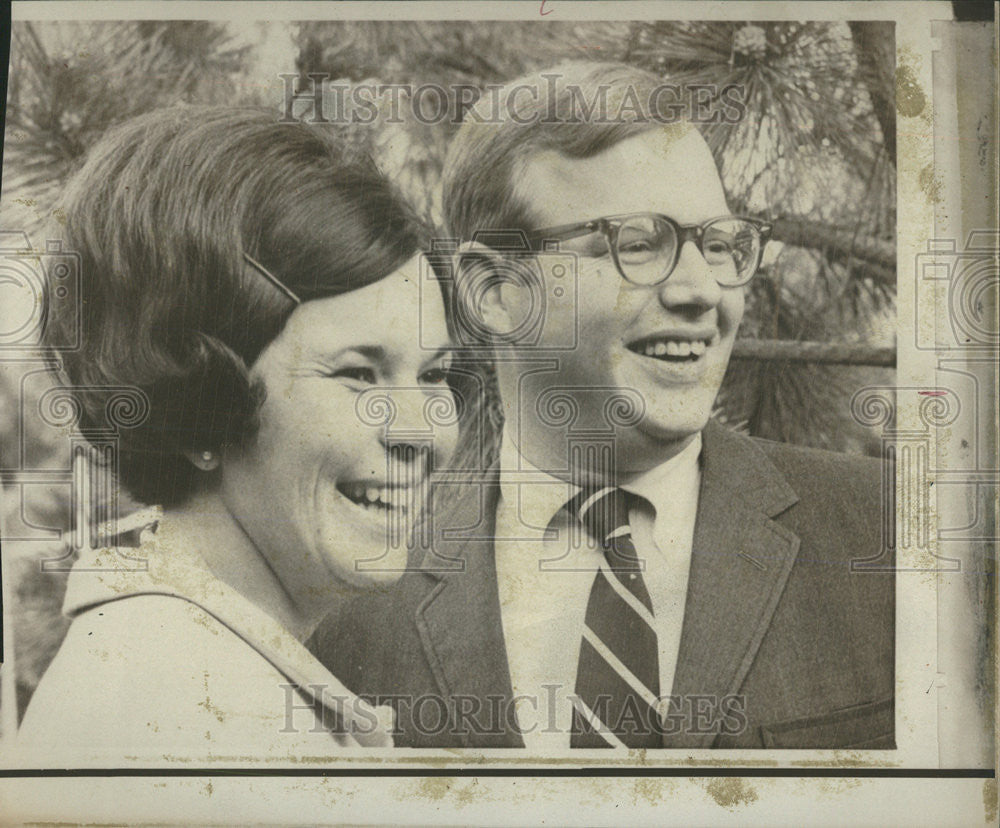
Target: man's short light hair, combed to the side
pixel 482 185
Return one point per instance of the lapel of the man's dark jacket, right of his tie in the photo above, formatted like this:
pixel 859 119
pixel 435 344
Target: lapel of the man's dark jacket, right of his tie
pixel 740 562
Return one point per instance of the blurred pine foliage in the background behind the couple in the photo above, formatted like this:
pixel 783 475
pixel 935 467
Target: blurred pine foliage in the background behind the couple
pixel 815 155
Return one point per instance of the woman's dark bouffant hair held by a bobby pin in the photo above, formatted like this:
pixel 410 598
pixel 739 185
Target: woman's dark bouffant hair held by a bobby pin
pixel 163 215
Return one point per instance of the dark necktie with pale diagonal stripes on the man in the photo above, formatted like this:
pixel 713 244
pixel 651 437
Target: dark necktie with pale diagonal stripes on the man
pixel 618 673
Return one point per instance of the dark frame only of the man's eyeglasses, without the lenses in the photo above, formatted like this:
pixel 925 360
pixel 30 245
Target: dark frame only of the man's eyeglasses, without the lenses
pixel 684 232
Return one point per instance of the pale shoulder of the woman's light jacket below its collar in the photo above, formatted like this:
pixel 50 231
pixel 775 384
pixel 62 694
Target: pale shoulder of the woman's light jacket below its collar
pixel 149 673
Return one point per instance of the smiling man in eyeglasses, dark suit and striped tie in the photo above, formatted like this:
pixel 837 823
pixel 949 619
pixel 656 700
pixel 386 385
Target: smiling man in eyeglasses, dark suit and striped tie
pixel 632 574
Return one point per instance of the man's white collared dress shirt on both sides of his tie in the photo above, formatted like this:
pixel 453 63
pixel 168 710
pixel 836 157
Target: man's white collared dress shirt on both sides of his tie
pixel 546 566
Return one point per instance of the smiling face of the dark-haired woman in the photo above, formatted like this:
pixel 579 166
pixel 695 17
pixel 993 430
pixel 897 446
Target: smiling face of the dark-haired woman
pixel 357 413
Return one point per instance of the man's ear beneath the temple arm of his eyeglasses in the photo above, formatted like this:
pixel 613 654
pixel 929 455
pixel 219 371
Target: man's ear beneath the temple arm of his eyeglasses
pixel 492 290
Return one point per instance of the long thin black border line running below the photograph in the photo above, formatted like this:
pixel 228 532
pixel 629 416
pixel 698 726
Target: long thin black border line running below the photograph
pixel 486 771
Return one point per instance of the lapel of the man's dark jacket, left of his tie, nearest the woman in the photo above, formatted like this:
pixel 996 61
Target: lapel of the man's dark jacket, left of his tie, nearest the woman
pixel 459 620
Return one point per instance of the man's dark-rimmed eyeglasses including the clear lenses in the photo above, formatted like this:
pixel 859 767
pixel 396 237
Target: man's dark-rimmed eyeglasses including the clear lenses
pixel 646 247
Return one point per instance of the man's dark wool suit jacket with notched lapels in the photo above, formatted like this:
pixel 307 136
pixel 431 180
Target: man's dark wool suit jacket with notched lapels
pixel 779 629
